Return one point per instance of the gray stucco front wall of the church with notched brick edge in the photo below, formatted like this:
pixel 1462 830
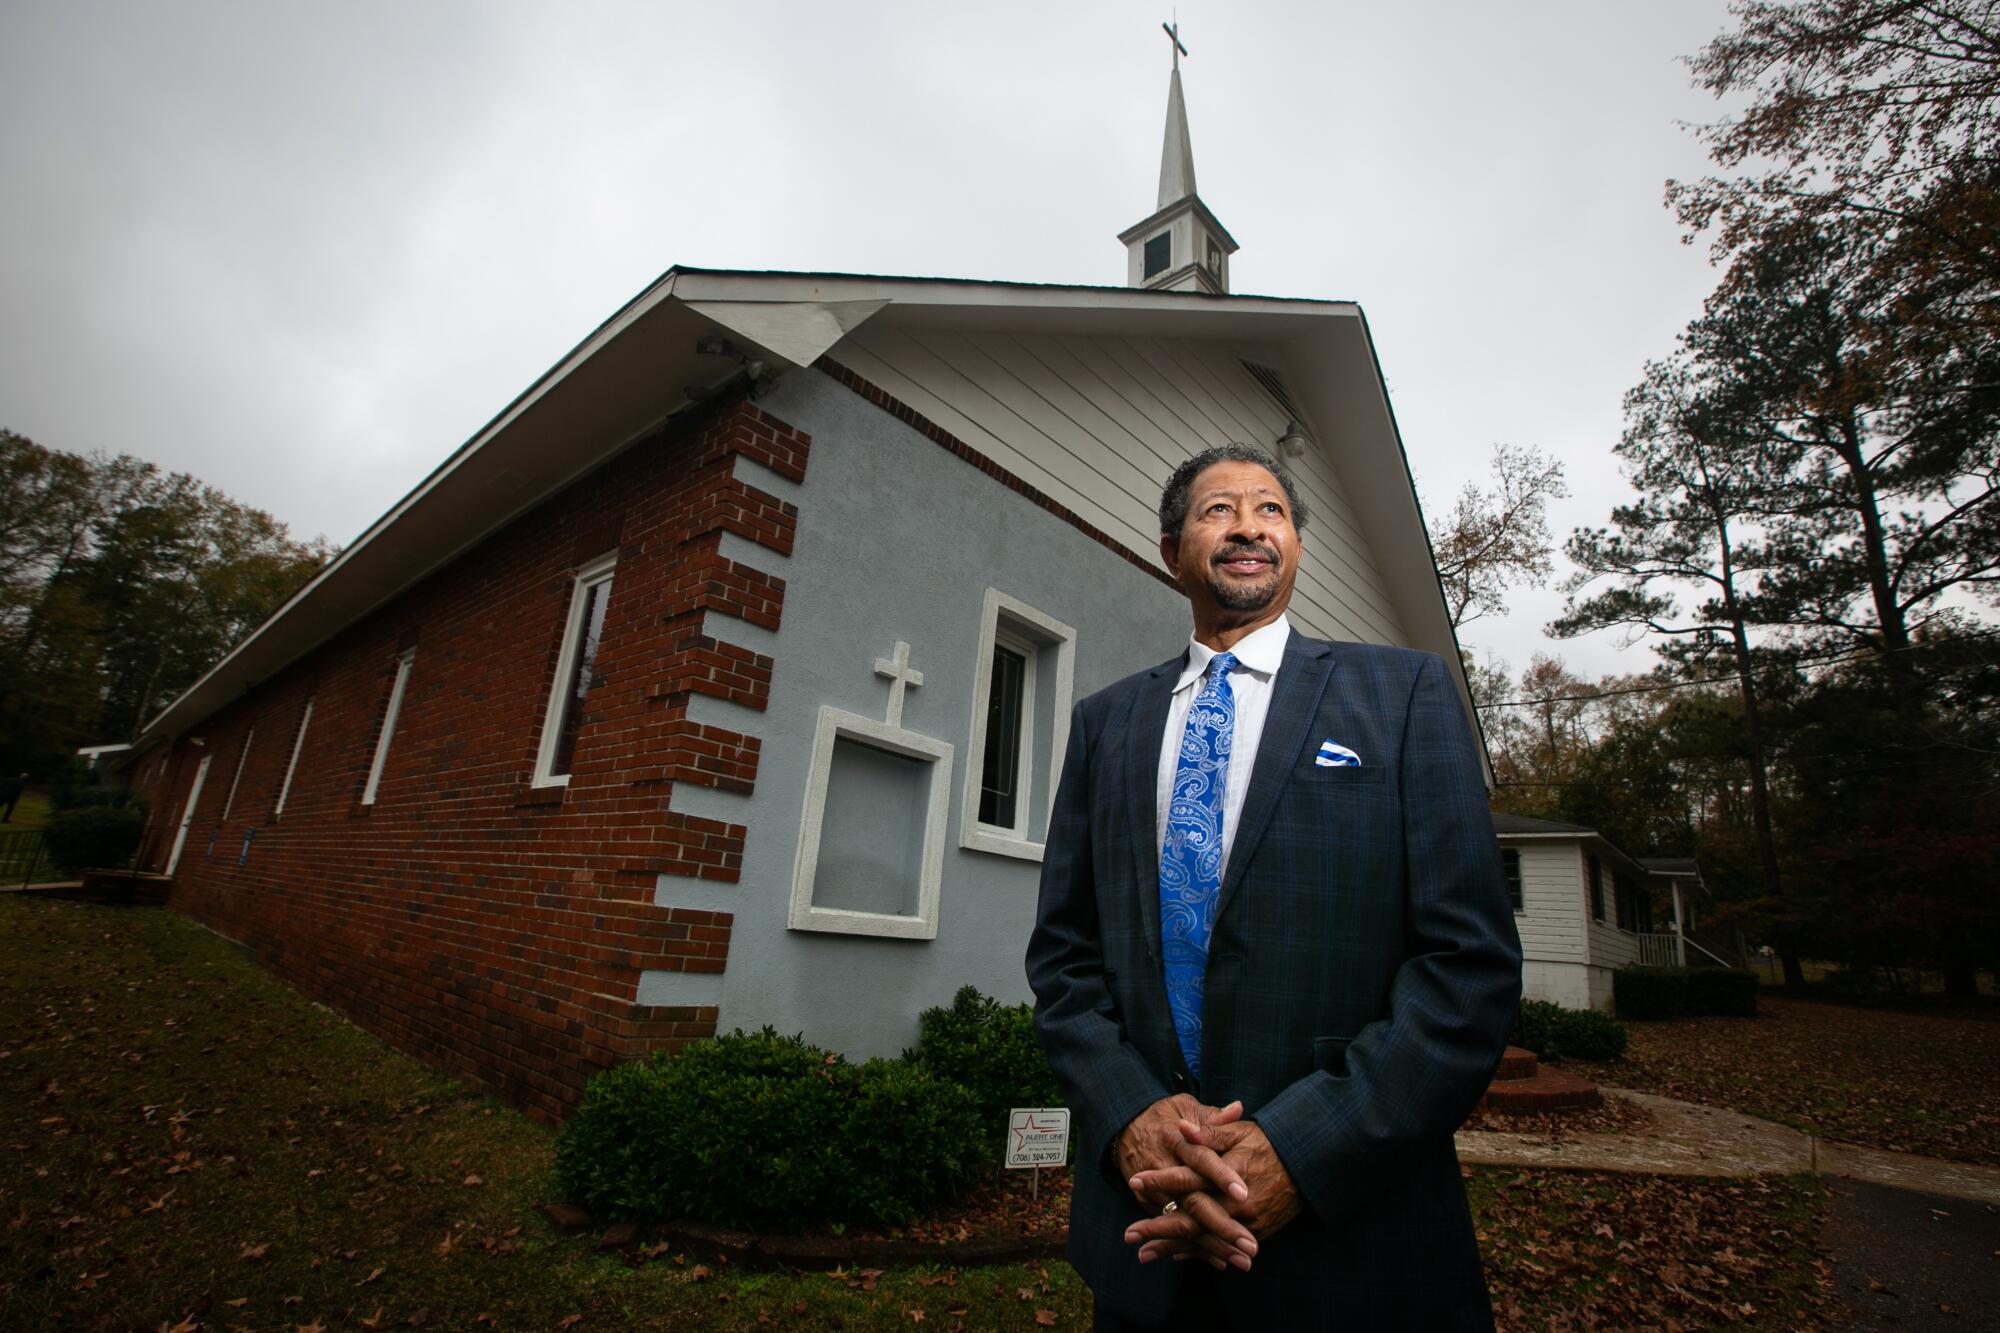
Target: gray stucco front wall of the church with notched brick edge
pixel 897 541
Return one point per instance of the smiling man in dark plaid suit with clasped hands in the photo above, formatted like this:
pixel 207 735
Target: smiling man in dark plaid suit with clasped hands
pixel 1275 964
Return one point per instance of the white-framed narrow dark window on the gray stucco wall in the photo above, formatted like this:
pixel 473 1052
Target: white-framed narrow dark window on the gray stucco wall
pixel 1021 726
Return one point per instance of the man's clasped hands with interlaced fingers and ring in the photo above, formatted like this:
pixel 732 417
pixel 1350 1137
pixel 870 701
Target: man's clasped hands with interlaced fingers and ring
pixel 1221 1174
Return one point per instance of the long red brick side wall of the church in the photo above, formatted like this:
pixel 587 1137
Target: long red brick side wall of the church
pixel 483 926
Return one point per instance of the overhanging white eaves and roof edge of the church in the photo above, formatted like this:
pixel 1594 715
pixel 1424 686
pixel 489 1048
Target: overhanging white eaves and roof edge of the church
pixel 647 363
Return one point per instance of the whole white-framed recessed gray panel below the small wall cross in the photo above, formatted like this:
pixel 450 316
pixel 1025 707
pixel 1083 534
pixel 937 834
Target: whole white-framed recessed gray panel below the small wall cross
pixel 871 848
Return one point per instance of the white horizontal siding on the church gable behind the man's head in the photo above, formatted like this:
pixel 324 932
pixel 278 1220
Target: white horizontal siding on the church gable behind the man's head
pixel 1097 423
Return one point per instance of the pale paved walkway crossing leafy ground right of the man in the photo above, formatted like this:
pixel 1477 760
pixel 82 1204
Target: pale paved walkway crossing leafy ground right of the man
pixel 1691 1140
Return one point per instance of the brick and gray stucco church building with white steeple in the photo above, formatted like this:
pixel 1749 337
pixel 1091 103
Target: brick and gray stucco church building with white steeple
pixel 725 678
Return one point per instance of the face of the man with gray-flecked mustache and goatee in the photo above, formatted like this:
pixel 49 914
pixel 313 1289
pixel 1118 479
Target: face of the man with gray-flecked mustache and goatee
pixel 1237 551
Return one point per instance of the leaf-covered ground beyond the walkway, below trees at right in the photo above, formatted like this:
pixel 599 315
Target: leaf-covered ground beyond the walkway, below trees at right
pixel 1901 1080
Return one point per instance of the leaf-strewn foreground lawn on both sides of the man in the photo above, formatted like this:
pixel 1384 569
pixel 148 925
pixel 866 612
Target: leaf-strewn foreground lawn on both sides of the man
pixel 193 1146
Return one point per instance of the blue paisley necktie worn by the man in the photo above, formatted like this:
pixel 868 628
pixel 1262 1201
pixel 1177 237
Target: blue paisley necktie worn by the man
pixel 1191 860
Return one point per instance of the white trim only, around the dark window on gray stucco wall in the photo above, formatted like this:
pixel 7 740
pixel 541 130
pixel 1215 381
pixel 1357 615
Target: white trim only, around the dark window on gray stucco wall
pixel 1039 780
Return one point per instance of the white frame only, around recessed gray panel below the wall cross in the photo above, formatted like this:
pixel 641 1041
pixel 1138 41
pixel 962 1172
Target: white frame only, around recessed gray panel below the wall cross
pixel 805 916
